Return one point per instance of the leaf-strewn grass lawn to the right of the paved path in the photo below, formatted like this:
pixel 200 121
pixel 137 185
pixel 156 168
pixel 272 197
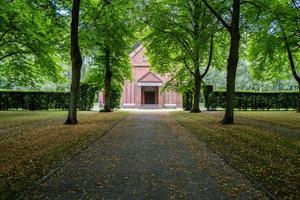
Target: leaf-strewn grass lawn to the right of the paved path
pixel 263 145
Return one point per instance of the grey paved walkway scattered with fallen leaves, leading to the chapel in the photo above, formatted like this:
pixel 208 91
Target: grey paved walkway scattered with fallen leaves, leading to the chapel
pixel 147 156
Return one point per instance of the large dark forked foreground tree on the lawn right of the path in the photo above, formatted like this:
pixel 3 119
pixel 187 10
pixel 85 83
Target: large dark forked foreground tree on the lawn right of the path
pixel 231 10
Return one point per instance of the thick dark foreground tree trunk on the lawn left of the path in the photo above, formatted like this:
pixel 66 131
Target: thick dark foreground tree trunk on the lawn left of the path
pixel 76 65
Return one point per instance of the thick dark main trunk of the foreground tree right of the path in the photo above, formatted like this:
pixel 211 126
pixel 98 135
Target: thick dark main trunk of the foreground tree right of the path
pixel 232 63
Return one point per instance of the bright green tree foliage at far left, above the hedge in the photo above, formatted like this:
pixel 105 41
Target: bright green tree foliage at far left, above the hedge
pixel 28 44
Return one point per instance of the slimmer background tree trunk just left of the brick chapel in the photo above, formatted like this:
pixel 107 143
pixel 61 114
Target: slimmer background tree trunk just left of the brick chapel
pixel 108 75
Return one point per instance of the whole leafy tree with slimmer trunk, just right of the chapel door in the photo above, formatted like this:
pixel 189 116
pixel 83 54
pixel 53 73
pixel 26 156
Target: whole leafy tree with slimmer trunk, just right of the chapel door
pixel 180 34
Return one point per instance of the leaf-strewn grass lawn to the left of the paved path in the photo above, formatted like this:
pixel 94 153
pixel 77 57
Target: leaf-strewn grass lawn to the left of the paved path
pixel 32 143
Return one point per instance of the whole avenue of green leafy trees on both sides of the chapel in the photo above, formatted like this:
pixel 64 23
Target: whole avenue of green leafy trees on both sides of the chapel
pixel 184 38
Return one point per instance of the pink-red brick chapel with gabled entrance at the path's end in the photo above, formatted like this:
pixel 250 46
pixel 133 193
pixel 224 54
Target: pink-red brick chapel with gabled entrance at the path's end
pixel 145 88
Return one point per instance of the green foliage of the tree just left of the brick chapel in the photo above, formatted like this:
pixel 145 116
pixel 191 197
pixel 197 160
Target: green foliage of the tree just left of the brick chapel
pixel 109 26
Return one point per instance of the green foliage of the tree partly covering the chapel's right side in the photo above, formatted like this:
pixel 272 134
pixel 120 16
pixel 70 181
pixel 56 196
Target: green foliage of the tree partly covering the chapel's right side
pixel 178 39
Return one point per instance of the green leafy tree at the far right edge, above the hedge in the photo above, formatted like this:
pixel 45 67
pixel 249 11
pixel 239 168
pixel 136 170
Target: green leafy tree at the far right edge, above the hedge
pixel 274 46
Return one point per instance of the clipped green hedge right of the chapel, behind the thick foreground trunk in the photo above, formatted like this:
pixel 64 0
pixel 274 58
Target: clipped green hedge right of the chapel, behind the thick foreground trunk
pixel 245 100
